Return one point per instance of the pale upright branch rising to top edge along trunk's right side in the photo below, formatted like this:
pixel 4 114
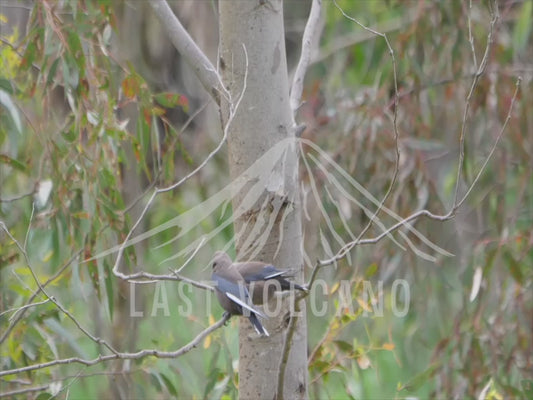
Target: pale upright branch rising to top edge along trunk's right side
pixel 308 43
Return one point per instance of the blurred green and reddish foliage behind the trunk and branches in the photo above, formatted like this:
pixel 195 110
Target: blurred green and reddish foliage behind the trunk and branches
pixel 97 109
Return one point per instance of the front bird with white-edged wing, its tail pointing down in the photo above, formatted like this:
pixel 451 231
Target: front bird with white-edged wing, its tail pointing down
pixel 232 293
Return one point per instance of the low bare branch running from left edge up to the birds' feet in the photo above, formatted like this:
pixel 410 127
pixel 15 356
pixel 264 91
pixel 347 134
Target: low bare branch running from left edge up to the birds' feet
pixel 123 356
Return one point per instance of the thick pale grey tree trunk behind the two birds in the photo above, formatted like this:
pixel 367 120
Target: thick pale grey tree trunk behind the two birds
pixel 263 120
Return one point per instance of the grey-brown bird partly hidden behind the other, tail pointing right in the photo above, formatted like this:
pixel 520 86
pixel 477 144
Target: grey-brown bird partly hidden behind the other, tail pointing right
pixel 263 280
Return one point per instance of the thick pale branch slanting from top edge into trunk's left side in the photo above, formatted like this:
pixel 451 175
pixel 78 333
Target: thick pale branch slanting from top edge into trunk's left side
pixel 195 57
